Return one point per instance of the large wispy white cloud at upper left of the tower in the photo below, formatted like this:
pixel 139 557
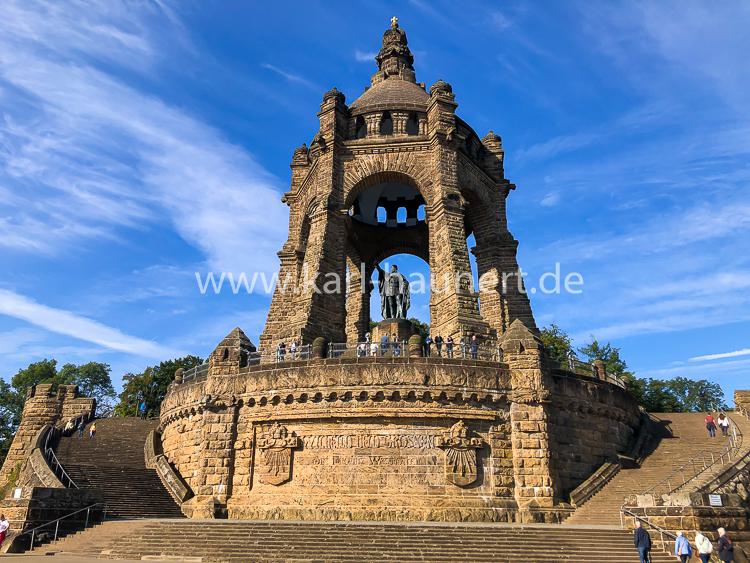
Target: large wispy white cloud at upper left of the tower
pixel 84 154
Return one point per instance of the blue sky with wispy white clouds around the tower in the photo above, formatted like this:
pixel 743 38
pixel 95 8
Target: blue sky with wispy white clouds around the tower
pixel 142 142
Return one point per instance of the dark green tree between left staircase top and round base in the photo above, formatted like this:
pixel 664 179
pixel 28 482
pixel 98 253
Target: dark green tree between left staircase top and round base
pixel 150 386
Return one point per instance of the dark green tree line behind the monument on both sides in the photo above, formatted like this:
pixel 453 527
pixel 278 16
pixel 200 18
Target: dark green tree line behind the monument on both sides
pixel 150 386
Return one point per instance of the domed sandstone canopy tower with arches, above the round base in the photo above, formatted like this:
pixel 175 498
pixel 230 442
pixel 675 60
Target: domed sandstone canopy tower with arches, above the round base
pixel 397 146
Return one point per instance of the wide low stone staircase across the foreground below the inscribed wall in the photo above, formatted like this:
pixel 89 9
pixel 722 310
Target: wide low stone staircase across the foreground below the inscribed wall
pixel 243 541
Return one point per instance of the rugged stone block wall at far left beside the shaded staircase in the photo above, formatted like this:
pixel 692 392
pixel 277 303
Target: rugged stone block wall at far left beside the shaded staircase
pixel 43 406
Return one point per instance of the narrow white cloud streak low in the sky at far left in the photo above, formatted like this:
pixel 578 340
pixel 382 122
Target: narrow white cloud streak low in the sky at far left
pixel 67 323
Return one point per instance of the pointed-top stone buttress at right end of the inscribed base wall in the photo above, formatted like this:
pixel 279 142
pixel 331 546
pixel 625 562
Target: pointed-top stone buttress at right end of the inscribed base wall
pixel 531 388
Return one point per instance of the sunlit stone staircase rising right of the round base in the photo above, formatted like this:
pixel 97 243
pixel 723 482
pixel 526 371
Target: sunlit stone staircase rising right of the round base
pixel 678 437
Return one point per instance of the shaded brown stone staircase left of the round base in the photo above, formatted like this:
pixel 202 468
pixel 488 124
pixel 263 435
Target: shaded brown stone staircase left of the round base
pixel 113 462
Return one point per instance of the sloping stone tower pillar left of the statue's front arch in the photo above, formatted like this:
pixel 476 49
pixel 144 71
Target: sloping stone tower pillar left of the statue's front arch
pixel 309 308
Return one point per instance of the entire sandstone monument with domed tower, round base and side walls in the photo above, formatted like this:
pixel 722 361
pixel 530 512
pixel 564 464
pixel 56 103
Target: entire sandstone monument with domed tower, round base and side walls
pixel 336 429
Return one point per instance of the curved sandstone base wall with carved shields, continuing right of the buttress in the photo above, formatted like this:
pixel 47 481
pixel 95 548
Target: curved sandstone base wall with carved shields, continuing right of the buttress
pixel 379 439
